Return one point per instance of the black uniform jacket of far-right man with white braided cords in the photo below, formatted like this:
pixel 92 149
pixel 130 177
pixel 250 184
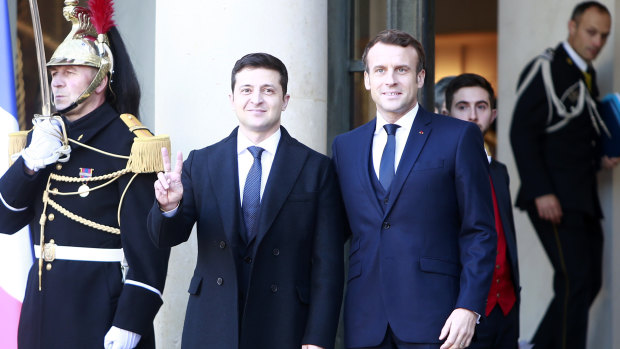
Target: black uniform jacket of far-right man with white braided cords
pixel 562 162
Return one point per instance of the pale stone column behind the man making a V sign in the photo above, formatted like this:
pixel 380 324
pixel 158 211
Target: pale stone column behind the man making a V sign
pixel 196 45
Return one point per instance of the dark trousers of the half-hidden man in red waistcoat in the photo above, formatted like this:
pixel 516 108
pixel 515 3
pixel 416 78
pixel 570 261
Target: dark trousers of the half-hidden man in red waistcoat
pixel 497 331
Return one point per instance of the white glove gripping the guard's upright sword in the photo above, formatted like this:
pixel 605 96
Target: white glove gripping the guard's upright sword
pixel 46 146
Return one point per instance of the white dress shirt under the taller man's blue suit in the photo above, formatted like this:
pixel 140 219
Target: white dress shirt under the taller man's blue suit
pixel 380 138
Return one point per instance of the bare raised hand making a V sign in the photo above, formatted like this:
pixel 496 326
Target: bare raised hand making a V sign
pixel 168 186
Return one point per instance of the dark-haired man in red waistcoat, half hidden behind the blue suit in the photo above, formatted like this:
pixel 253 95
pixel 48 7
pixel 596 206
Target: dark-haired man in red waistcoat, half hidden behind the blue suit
pixel 470 97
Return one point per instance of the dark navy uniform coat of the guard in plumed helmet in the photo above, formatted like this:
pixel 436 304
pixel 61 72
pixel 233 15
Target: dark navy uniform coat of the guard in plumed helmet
pixel 80 300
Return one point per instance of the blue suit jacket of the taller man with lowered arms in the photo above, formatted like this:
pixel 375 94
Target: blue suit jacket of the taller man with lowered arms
pixel 432 247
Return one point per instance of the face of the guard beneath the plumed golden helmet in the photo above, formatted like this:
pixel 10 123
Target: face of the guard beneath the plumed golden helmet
pixel 68 83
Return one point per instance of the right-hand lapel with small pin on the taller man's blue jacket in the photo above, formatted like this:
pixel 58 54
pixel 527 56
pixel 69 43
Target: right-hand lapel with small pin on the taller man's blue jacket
pixel 420 131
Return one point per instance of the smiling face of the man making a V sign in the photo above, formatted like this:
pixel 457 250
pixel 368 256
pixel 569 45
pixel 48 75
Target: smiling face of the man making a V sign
pixel 258 101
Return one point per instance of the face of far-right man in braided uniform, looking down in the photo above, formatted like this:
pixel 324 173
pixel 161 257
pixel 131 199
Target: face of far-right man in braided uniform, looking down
pixel 588 34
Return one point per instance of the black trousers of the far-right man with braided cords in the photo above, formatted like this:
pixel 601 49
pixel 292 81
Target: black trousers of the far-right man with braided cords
pixel 575 250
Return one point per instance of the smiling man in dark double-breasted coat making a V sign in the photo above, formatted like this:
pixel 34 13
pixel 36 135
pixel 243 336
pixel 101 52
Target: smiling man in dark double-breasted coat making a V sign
pixel 270 226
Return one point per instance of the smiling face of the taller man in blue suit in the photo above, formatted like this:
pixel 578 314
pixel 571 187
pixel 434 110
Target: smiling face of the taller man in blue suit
pixel 392 79
